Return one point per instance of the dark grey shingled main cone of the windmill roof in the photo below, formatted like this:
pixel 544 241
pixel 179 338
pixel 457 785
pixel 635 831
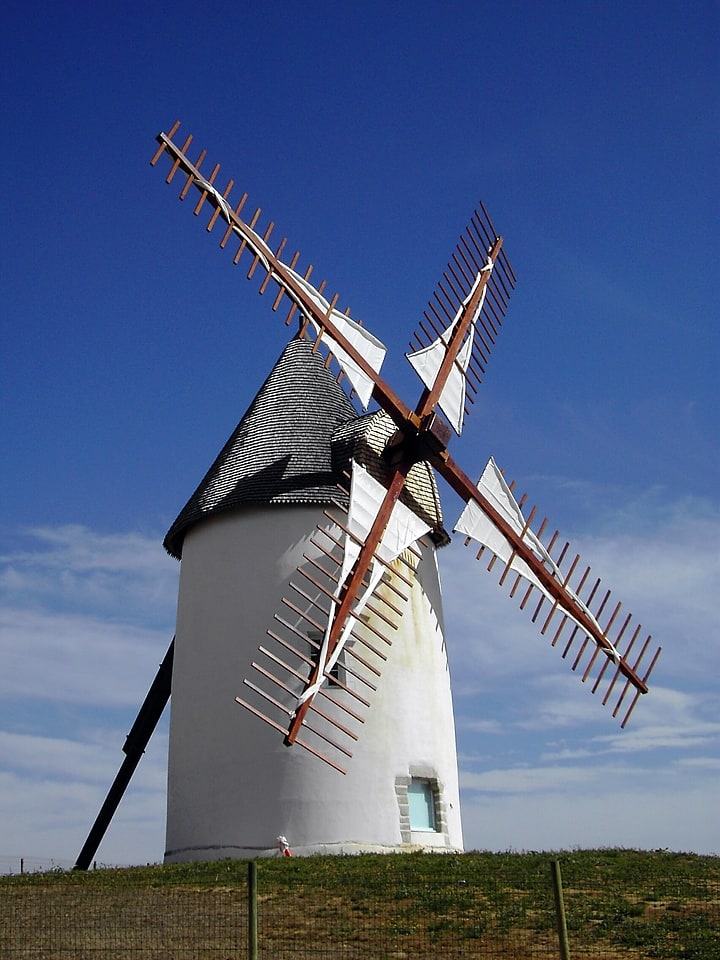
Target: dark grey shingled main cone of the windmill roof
pixel 280 452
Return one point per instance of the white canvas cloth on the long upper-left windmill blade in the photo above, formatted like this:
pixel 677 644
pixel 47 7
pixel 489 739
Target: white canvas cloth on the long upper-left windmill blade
pixel 370 348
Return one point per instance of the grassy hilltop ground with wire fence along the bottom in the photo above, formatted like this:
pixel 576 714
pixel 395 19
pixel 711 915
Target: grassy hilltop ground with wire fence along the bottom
pixel 405 906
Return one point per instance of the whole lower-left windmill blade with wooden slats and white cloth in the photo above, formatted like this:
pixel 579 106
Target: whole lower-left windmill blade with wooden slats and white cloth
pixel 342 667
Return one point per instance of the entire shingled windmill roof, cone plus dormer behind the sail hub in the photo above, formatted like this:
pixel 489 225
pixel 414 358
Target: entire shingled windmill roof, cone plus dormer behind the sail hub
pixel 294 445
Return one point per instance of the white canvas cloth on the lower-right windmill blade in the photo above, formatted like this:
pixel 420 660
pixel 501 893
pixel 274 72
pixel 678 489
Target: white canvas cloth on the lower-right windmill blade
pixel 475 523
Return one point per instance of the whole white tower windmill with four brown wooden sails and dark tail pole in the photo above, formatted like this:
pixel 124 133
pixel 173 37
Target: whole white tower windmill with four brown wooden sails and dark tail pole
pixel 308 568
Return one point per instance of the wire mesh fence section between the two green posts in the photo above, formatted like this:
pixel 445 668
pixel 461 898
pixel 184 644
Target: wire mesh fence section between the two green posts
pixel 453 913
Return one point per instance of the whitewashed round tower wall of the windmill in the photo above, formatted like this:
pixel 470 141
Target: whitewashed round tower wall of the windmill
pixel 233 786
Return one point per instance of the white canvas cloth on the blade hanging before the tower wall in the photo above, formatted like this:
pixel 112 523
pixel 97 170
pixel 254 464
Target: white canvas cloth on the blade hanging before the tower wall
pixel 403 529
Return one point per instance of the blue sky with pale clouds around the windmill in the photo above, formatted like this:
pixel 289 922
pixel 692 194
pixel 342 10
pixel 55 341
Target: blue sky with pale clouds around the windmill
pixel 132 346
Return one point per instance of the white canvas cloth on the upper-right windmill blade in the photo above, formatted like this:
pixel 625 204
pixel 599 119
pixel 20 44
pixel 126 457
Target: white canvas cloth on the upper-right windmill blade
pixel 426 362
